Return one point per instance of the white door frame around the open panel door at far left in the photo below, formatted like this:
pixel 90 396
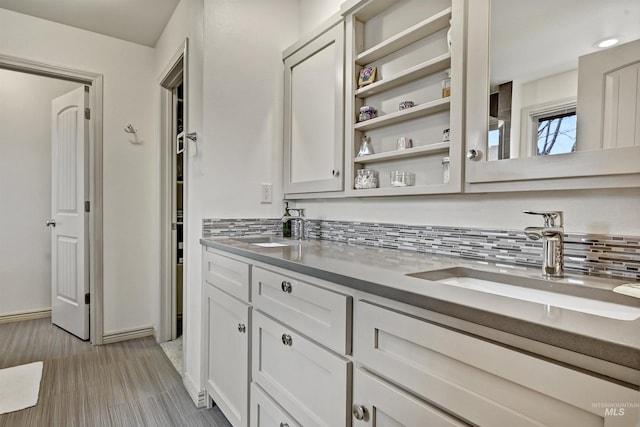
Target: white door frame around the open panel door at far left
pixel 95 244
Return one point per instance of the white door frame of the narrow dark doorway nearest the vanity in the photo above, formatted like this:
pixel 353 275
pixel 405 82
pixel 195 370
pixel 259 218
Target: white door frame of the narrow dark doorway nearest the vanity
pixel 176 70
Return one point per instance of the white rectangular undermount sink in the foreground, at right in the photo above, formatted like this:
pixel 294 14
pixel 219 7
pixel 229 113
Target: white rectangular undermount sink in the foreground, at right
pixel 587 294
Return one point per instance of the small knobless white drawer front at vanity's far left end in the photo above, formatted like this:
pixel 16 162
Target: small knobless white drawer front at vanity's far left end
pixel 228 274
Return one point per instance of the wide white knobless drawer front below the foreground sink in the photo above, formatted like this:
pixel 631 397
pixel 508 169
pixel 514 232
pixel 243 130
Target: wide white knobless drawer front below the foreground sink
pixel 479 381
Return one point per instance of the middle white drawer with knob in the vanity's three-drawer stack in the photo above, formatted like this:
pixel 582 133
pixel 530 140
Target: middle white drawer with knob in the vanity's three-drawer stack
pixel 308 381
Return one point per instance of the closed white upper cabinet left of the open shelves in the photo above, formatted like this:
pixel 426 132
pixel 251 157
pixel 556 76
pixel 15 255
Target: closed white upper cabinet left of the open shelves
pixel 314 111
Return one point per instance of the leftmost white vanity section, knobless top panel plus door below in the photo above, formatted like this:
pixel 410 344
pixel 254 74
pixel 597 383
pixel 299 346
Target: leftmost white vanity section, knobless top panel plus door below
pixel 226 336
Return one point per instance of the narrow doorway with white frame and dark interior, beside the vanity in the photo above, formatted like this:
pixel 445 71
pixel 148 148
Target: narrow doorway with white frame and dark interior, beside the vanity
pixel 174 143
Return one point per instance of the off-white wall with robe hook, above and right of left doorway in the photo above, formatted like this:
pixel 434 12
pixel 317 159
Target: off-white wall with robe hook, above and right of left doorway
pixel 130 171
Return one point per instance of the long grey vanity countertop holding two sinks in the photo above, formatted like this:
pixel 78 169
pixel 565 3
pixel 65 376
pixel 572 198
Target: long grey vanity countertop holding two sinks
pixel 385 272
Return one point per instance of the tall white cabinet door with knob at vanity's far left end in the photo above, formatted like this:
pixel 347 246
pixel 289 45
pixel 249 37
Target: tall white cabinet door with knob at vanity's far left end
pixel 226 344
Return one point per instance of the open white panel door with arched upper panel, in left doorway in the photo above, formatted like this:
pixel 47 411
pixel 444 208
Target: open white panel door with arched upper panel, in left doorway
pixel 69 231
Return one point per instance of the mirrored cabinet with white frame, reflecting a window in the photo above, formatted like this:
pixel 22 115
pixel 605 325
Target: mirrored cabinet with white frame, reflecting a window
pixel 558 105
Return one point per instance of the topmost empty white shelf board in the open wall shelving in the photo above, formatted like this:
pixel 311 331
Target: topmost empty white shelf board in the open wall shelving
pixel 405 38
